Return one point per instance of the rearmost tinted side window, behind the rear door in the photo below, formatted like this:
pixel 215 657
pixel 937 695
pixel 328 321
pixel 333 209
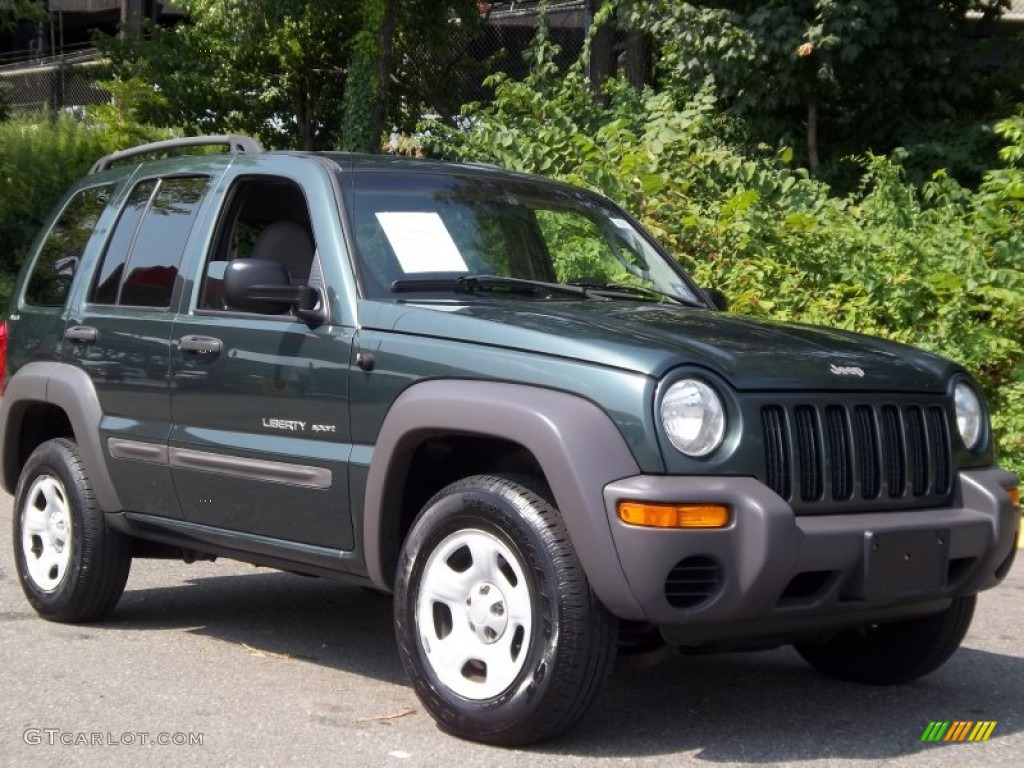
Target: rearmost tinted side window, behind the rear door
pixel 55 270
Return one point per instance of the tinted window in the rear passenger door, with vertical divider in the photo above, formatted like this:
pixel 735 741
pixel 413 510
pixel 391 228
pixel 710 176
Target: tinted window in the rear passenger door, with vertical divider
pixel 148 245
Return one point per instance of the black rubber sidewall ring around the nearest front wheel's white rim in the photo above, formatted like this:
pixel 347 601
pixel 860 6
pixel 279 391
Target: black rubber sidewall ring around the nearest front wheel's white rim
pixel 494 514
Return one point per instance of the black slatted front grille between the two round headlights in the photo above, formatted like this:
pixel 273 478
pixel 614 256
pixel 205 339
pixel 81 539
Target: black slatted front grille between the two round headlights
pixel 869 456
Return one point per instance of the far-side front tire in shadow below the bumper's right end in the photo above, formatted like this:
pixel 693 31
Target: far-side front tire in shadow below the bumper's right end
pixel 892 654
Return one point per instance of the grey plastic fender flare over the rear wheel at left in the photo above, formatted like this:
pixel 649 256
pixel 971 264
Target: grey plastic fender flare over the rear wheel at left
pixel 70 390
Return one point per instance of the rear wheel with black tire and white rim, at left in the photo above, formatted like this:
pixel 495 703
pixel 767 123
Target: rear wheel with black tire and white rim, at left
pixel 73 567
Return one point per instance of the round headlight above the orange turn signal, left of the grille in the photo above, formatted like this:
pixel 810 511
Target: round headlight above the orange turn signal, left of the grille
pixel 694 417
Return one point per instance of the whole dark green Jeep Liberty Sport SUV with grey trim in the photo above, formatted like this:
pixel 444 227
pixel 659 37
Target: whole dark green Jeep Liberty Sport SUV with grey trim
pixel 496 398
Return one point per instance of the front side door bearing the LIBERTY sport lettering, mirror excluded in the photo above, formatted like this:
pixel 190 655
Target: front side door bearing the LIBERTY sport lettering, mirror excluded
pixel 261 443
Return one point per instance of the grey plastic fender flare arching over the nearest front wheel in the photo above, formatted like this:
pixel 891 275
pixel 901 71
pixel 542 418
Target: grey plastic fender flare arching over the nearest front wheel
pixel 577 445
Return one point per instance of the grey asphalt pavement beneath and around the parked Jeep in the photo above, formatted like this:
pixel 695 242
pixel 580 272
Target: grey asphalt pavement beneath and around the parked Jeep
pixel 277 670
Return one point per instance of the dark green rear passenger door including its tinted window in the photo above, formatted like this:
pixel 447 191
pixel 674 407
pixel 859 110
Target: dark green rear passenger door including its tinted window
pixel 120 334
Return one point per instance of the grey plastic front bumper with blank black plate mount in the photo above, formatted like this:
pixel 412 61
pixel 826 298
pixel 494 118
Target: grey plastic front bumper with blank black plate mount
pixel 775 575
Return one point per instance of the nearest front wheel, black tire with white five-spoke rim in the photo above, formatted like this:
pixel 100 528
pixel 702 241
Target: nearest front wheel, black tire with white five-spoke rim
pixel 497 626
